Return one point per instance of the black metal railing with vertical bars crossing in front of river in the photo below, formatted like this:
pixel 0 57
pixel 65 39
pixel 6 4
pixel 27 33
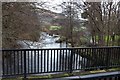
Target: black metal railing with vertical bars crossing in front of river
pixel 36 61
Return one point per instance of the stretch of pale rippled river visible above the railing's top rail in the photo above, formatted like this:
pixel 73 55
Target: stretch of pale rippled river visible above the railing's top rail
pixel 45 41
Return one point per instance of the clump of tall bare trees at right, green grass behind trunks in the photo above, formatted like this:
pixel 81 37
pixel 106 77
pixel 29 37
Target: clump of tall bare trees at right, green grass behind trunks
pixel 102 20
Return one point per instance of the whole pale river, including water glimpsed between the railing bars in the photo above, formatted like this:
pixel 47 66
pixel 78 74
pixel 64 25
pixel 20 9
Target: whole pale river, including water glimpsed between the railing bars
pixel 48 41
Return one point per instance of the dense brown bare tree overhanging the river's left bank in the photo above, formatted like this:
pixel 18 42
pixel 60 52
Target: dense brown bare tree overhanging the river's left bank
pixel 20 22
